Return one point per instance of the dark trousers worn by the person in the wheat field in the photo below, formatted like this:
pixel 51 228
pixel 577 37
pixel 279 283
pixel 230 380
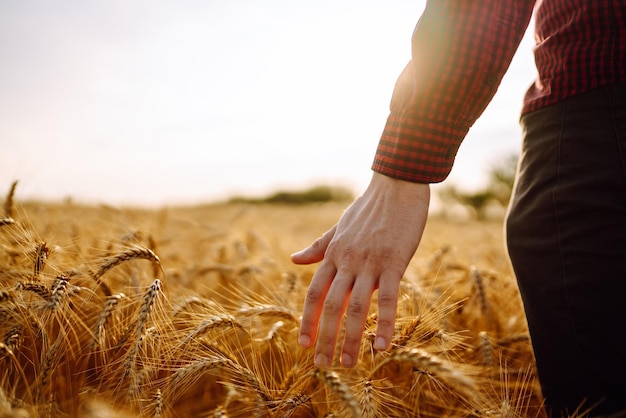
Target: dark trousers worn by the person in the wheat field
pixel 566 237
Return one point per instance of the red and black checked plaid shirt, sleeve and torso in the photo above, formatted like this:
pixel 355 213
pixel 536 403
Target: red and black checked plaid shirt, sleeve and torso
pixel 461 50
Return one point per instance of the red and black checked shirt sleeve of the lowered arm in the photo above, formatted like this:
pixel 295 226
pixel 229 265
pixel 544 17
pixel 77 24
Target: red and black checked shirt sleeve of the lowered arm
pixel 461 49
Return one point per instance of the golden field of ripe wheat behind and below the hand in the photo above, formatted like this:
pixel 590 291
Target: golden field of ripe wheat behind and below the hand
pixel 195 311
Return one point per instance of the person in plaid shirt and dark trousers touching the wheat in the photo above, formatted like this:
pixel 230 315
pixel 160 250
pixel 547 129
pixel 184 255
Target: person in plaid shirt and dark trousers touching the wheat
pixel 566 227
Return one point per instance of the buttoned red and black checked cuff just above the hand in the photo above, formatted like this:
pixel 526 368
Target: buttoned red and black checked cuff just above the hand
pixel 417 149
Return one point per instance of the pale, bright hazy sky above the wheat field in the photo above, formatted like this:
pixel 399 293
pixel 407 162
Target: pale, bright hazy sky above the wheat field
pixel 154 102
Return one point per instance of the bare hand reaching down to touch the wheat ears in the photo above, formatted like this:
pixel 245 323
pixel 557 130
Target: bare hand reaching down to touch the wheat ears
pixel 368 249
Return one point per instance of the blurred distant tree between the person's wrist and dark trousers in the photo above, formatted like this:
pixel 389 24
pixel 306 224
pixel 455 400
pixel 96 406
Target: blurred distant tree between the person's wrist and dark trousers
pixel 498 190
